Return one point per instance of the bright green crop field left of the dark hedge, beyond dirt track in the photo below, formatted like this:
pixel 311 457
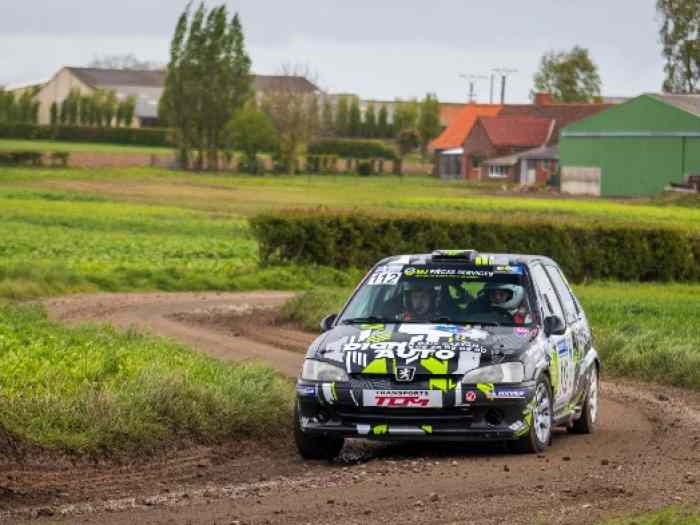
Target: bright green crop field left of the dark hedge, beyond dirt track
pixel 60 242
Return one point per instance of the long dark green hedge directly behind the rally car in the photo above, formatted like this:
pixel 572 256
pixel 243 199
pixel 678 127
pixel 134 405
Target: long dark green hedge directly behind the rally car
pixel 584 252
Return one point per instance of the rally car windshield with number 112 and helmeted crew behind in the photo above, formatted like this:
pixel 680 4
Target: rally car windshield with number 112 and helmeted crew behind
pixel 442 293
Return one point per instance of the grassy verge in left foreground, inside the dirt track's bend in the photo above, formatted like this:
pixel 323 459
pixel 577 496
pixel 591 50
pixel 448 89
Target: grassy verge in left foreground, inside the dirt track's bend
pixel 95 390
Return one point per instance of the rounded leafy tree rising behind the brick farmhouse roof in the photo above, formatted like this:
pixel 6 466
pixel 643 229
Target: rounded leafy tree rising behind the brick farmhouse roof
pixel 569 76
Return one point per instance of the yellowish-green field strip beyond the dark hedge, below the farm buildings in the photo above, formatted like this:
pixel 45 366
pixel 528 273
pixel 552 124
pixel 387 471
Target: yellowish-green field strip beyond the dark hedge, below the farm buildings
pixel 243 195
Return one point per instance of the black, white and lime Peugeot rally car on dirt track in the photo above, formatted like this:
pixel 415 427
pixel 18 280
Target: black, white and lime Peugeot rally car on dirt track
pixel 454 345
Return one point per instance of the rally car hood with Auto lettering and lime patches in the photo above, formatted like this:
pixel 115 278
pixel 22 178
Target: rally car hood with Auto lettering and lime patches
pixel 426 348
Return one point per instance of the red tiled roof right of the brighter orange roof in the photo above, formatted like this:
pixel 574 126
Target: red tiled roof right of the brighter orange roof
pixel 517 131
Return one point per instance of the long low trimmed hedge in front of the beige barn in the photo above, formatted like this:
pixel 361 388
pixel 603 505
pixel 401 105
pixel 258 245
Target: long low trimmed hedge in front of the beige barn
pixel 126 136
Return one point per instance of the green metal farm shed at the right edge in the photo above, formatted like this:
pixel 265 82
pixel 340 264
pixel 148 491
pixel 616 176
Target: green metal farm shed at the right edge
pixel 634 149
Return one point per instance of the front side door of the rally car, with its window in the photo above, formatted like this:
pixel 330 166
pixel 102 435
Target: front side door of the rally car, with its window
pixel 561 348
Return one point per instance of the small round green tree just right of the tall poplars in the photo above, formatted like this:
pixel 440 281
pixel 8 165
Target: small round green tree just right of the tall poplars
pixel 251 131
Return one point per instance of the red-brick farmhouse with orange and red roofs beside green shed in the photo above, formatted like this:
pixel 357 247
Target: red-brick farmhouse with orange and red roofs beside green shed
pixel 458 153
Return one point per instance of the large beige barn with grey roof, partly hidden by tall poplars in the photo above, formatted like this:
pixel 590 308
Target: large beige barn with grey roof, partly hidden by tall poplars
pixel 146 86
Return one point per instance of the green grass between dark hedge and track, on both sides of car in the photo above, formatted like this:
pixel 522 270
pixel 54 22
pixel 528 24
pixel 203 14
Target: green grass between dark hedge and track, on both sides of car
pixel 643 331
